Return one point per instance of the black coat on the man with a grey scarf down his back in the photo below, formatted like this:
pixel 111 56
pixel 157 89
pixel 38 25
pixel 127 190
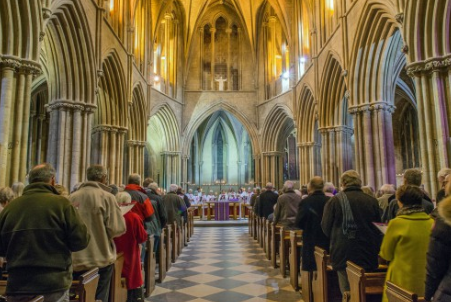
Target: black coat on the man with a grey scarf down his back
pixel 363 250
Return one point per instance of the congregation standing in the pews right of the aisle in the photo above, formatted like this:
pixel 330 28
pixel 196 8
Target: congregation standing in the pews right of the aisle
pixel 399 227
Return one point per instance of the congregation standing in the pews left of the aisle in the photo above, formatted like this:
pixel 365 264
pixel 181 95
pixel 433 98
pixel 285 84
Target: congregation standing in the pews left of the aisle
pixel 49 237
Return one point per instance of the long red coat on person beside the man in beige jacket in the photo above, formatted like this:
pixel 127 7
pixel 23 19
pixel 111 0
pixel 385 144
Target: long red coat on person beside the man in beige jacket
pixel 129 245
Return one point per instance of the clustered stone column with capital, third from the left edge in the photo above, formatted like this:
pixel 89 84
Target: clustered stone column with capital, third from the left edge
pixel 109 142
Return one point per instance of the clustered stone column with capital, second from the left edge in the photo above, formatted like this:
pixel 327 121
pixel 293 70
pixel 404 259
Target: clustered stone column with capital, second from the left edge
pixel 69 146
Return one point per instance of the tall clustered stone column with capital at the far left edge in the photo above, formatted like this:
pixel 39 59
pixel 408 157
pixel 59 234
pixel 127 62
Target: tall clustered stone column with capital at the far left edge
pixel 15 94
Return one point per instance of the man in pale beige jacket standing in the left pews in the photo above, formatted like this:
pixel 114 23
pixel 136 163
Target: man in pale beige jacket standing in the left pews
pixel 99 210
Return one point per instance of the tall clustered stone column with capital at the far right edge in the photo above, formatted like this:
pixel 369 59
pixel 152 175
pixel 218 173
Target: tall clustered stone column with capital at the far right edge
pixel 432 79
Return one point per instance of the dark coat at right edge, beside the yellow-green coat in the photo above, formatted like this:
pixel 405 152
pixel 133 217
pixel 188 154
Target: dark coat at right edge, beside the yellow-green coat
pixel 438 276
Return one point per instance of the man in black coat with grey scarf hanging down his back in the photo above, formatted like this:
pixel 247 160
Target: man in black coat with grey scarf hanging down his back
pixel 347 221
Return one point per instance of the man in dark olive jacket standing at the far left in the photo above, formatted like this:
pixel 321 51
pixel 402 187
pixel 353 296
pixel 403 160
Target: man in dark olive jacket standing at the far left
pixel 38 232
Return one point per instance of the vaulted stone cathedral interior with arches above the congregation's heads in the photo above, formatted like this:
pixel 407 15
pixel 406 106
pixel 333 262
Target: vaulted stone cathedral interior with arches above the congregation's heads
pixel 231 93
